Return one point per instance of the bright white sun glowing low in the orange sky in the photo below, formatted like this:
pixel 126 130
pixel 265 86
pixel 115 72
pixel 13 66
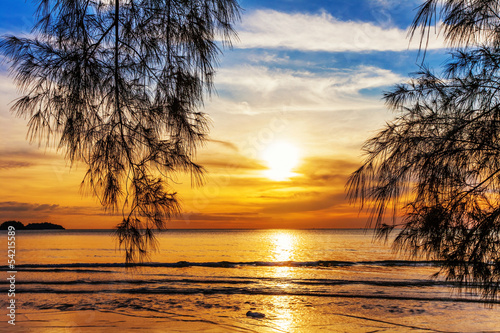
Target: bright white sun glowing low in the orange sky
pixel 281 158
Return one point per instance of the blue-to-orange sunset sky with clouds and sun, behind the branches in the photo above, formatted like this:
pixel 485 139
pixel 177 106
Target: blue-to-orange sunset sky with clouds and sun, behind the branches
pixel 296 97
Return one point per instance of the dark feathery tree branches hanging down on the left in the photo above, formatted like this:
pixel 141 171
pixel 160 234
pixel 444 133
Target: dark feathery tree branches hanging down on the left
pixel 119 86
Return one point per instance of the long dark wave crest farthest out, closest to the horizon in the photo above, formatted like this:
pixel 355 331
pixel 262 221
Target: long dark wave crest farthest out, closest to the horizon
pixel 231 264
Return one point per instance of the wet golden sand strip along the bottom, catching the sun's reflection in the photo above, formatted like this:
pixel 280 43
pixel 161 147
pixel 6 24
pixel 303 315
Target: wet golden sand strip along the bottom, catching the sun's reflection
pixel 315 318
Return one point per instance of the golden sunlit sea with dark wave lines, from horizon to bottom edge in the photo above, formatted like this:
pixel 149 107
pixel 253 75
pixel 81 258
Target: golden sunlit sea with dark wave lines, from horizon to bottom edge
pixel 231 281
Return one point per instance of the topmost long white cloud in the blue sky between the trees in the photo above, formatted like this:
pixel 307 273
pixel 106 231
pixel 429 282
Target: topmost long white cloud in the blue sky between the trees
pixel 319 32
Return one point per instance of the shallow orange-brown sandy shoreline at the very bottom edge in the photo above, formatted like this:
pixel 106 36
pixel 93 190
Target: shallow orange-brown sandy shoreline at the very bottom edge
pixel 114 321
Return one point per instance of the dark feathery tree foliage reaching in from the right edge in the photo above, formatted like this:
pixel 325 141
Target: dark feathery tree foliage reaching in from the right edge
pixel 438 162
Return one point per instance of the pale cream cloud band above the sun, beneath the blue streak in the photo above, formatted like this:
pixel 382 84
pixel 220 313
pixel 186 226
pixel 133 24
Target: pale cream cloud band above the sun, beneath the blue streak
pixel 256 89
